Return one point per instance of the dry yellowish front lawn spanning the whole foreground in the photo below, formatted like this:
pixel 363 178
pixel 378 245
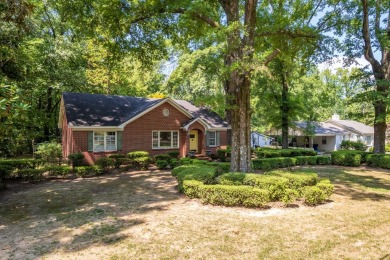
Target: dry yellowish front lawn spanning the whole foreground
pixel 140 215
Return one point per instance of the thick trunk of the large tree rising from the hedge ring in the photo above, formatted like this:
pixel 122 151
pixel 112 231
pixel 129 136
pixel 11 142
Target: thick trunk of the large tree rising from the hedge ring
pixel 237 86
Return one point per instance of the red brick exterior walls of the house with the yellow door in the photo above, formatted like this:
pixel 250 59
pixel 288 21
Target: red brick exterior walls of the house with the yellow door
pixel 137 135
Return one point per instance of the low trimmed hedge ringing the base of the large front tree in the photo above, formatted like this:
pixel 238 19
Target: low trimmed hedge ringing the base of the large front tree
pixel 250 190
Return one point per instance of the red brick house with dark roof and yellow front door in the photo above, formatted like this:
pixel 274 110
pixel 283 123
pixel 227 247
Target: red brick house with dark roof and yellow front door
pixel 99 125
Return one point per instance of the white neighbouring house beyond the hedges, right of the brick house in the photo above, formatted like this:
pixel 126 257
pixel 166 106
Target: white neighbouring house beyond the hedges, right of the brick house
pixel 328 135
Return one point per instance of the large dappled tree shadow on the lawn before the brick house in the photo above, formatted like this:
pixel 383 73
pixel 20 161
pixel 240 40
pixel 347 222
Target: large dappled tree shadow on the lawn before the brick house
pixel 84 211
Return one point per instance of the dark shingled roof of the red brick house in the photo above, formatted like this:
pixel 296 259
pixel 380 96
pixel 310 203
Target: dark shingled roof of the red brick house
pixel 86 110
